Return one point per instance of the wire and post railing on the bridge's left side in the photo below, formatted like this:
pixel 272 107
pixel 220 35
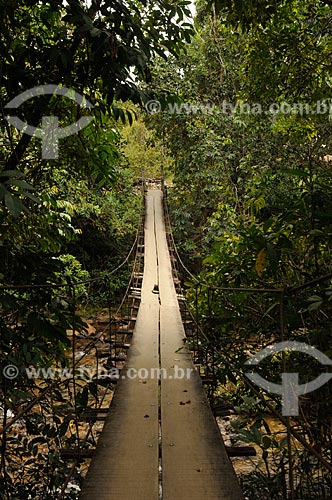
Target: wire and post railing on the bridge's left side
pixel 59 416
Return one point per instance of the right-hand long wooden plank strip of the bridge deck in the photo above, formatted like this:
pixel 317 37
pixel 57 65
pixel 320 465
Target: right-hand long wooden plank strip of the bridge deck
pixel 195 464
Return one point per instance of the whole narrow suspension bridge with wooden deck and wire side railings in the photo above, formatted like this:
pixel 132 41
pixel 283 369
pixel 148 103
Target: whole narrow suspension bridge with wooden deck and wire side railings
pixel 159 439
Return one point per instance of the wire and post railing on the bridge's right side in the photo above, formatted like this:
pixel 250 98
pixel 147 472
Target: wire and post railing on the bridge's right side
pixel 223 351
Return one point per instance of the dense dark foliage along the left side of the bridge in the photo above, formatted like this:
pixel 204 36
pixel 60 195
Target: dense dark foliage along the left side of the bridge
pixel 65 223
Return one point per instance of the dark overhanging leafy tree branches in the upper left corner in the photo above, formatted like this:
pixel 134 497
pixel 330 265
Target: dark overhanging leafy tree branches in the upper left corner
pixel 98 50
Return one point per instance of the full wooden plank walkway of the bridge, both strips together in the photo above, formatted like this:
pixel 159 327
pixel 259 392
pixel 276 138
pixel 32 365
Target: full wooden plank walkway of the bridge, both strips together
pixel 160 423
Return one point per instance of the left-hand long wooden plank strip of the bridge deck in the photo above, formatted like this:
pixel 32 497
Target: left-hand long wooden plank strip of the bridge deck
pixel 125 464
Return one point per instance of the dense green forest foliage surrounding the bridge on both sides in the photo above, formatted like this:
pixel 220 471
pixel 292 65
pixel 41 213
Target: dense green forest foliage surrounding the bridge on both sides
pixel 246 118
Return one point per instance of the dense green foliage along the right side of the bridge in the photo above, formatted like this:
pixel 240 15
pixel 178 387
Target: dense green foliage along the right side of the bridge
pixel 251 206
